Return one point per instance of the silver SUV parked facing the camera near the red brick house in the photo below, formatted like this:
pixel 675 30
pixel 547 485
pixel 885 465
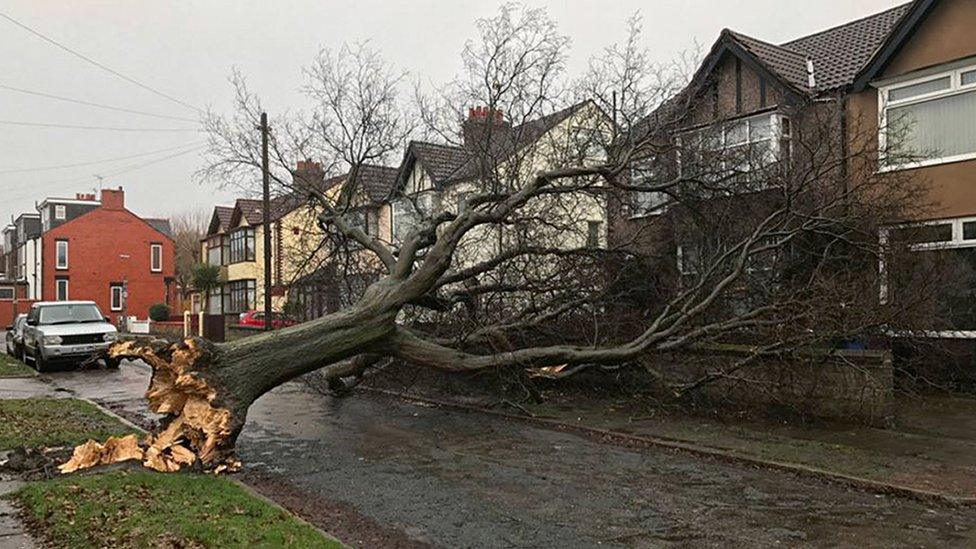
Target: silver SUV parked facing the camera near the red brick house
pixel 66 332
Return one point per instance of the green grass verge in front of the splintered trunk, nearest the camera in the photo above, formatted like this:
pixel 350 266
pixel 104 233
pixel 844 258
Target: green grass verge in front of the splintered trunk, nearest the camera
pixel 145 509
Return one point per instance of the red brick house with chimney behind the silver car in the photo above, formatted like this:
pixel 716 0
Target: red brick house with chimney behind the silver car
pixel 99 254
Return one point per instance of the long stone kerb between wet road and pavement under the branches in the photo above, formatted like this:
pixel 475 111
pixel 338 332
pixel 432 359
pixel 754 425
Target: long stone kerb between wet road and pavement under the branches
pixel 689 447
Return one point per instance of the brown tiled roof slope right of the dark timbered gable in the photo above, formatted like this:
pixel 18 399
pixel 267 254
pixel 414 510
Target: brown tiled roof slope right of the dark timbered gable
pixel 840 53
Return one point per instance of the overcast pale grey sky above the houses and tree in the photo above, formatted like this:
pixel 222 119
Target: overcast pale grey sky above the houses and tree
pixel 186 49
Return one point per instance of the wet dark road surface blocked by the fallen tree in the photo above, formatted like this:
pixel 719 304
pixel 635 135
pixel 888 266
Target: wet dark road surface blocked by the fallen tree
pixel 465 480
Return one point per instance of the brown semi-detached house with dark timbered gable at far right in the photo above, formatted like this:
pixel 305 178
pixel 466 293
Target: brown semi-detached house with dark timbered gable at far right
pixel 915 63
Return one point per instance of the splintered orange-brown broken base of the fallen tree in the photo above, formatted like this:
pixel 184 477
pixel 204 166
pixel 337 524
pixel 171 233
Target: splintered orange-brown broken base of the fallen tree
pixel 198 432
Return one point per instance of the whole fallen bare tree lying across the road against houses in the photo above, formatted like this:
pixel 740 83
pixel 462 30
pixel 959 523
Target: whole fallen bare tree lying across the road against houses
pixel 780 250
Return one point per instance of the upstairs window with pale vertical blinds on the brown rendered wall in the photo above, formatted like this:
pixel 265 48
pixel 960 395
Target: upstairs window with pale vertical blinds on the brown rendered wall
pixel 929 120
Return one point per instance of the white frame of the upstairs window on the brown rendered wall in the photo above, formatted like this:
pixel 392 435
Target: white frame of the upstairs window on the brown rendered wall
pixel 956 87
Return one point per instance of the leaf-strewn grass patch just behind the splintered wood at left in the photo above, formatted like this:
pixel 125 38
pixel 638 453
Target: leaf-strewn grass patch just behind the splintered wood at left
pixel 41 422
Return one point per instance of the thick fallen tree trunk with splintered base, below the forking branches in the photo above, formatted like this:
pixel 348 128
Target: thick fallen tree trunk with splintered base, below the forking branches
pixel 205 389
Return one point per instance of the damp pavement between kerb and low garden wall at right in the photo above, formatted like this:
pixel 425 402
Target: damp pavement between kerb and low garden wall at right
pixel 931 447
